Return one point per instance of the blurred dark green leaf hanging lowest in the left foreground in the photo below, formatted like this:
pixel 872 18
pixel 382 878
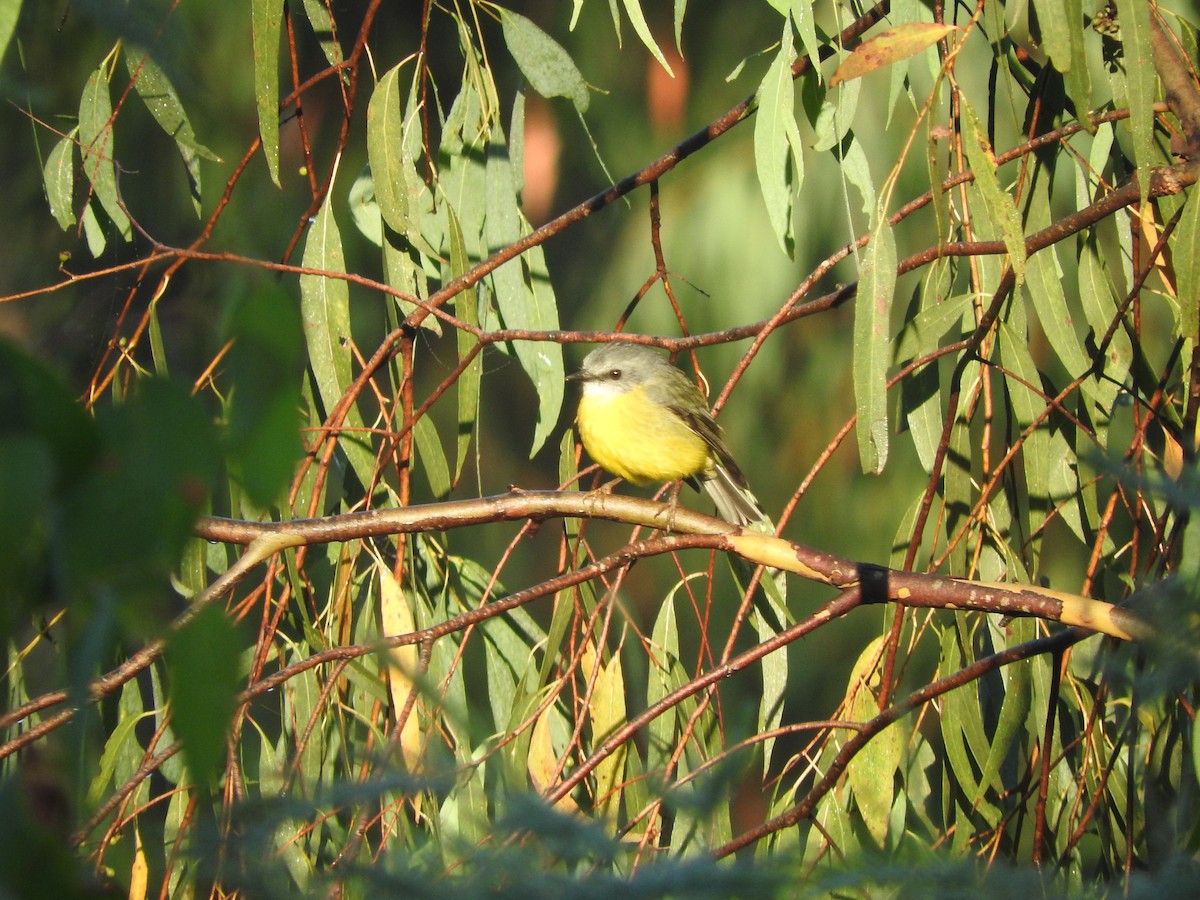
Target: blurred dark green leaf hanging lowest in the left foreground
pixel 203 659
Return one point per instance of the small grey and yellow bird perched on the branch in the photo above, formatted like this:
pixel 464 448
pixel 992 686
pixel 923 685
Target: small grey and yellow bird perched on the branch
pixel 644 421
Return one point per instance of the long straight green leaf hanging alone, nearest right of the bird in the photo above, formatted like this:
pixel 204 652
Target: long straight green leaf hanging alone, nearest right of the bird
pixel 873 317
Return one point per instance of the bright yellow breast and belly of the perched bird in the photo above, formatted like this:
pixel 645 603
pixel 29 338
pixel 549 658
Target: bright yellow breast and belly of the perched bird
pixel 638 440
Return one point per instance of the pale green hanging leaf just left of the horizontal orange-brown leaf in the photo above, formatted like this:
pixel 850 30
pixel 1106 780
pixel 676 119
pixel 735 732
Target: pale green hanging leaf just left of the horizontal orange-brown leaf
pixel 779 157
